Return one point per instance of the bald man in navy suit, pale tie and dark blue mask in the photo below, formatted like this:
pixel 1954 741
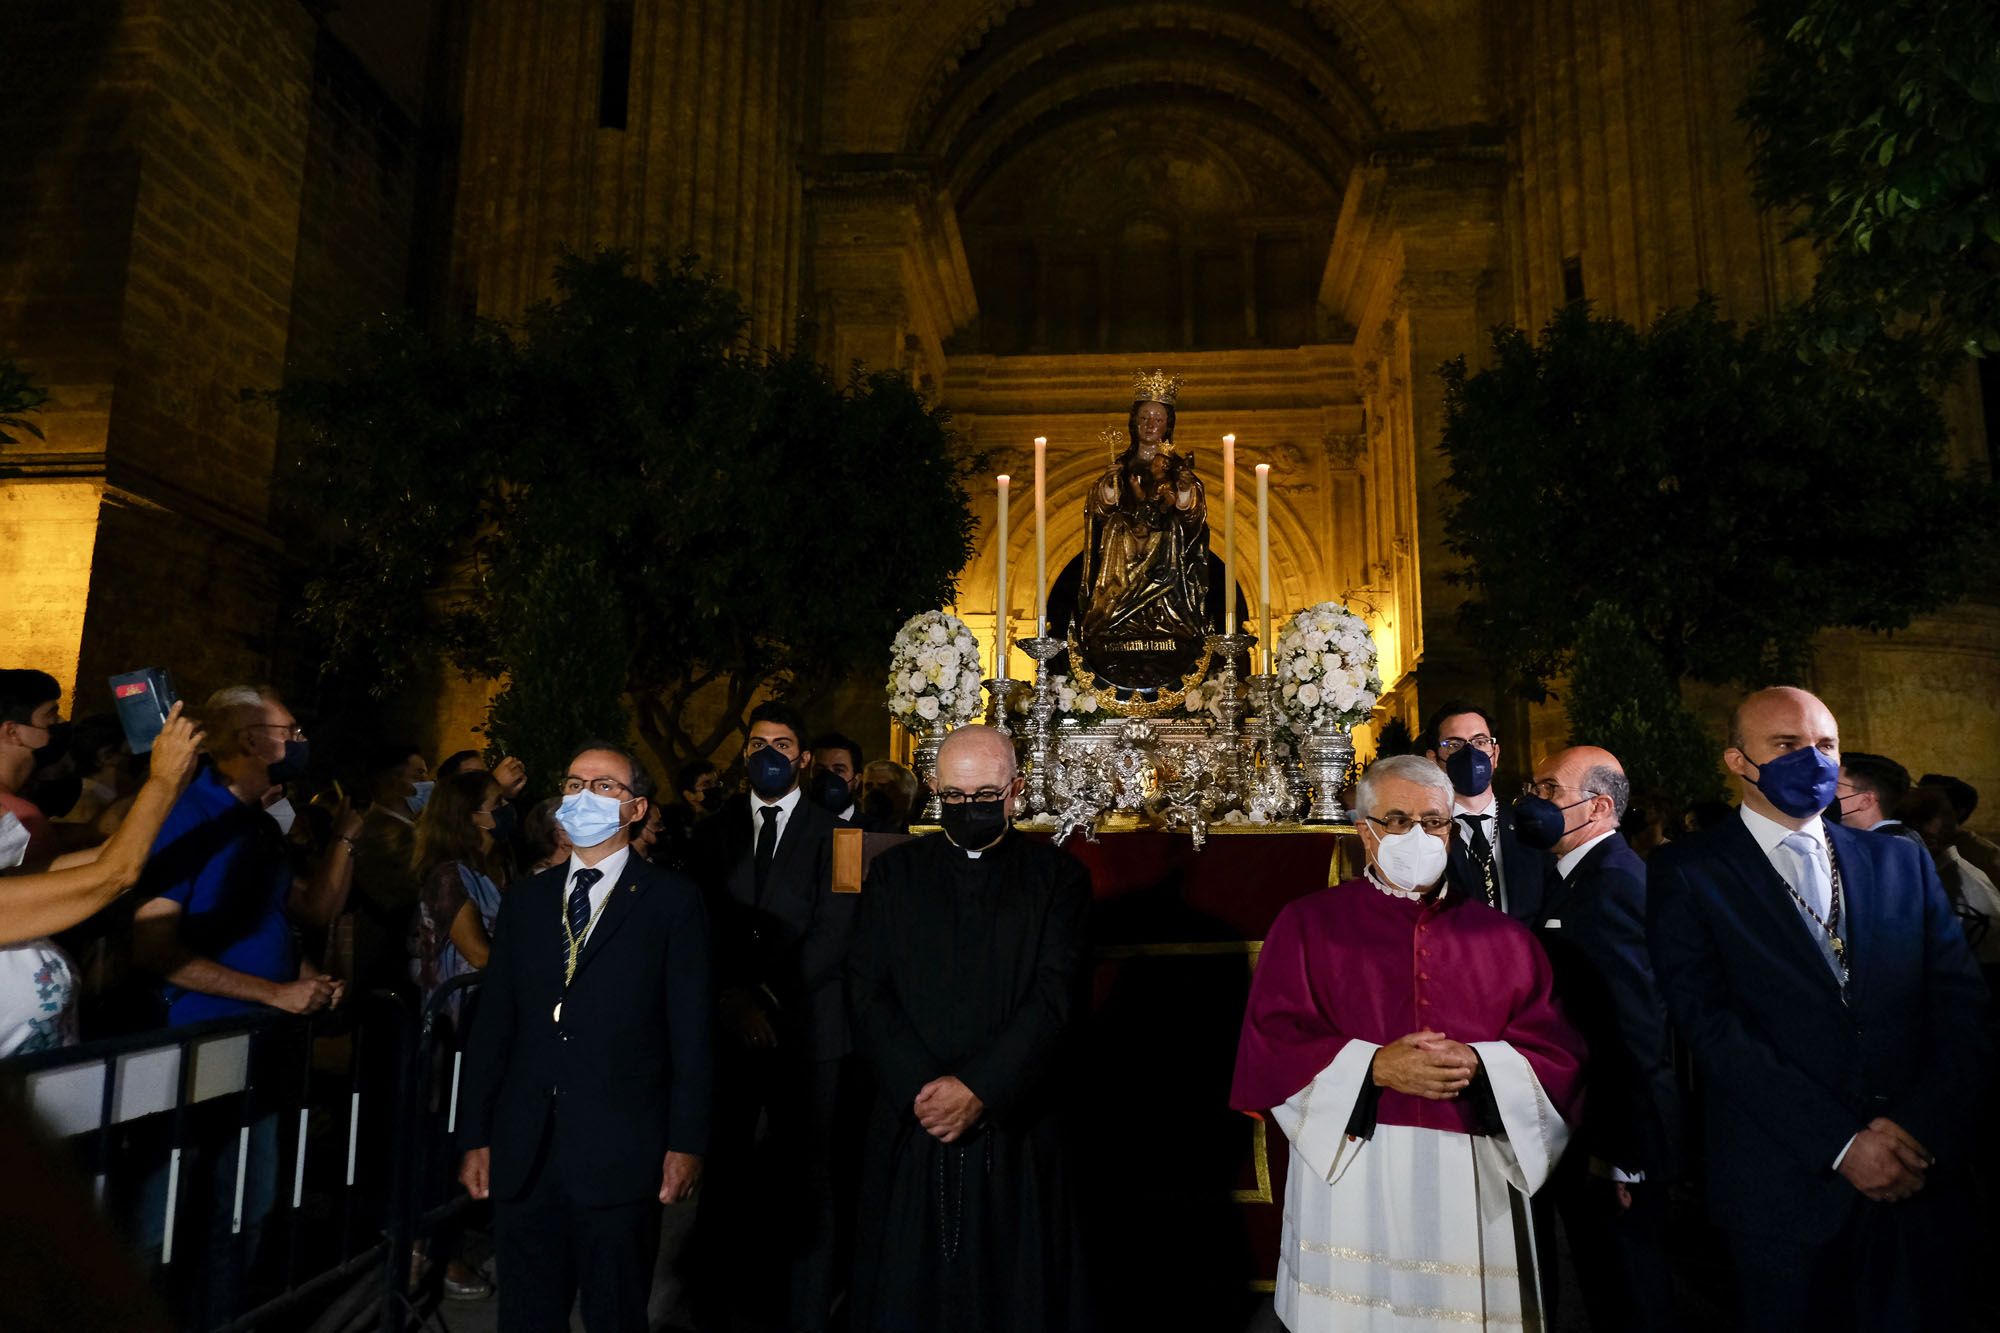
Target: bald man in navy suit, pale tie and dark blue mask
pixel 1837 1022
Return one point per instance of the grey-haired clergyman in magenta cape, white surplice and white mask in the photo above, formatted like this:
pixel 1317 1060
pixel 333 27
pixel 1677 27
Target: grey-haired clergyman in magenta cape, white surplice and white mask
pixel 1407 1042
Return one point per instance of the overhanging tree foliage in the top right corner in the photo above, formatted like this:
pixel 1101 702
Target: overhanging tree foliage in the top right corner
pixel 1879 123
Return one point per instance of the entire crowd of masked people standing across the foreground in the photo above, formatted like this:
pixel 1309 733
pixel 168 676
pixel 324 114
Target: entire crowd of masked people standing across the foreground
pixel 1471 1048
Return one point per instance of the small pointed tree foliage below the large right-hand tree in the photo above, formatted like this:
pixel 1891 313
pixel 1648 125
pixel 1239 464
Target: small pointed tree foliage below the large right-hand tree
pixel 1623 700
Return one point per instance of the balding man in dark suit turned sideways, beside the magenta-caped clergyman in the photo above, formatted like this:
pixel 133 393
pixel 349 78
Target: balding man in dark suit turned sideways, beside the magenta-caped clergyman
pixel 1611 1188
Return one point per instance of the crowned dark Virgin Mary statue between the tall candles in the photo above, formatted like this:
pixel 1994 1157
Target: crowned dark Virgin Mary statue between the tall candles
pixel 1145 591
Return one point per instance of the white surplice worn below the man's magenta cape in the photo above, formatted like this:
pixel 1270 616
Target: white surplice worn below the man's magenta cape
pixel 1415 1228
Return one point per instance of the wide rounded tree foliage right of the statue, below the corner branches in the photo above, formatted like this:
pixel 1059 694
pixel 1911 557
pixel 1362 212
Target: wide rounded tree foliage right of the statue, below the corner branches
pixel 1727 495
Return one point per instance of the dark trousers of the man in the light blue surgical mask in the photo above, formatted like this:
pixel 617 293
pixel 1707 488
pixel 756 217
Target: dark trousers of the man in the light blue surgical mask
pixel 551 1250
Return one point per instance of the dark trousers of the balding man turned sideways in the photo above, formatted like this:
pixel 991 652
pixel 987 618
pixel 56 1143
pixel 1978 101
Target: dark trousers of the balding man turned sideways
pixel 1621 1254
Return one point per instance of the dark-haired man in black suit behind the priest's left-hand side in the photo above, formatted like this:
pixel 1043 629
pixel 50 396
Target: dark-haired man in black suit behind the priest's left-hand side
pixel 767 864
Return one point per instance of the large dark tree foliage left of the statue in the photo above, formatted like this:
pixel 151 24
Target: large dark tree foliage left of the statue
pixel 619 511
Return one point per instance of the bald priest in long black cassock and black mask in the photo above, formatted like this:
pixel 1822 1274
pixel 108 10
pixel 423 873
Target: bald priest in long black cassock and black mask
pixel 967 982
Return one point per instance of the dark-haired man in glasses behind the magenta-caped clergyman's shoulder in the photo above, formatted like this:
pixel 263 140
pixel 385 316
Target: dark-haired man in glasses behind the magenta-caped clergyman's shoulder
pixel 1489 864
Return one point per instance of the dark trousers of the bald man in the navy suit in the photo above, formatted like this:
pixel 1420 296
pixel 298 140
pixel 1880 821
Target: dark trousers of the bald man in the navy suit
pixel 1893 1268
